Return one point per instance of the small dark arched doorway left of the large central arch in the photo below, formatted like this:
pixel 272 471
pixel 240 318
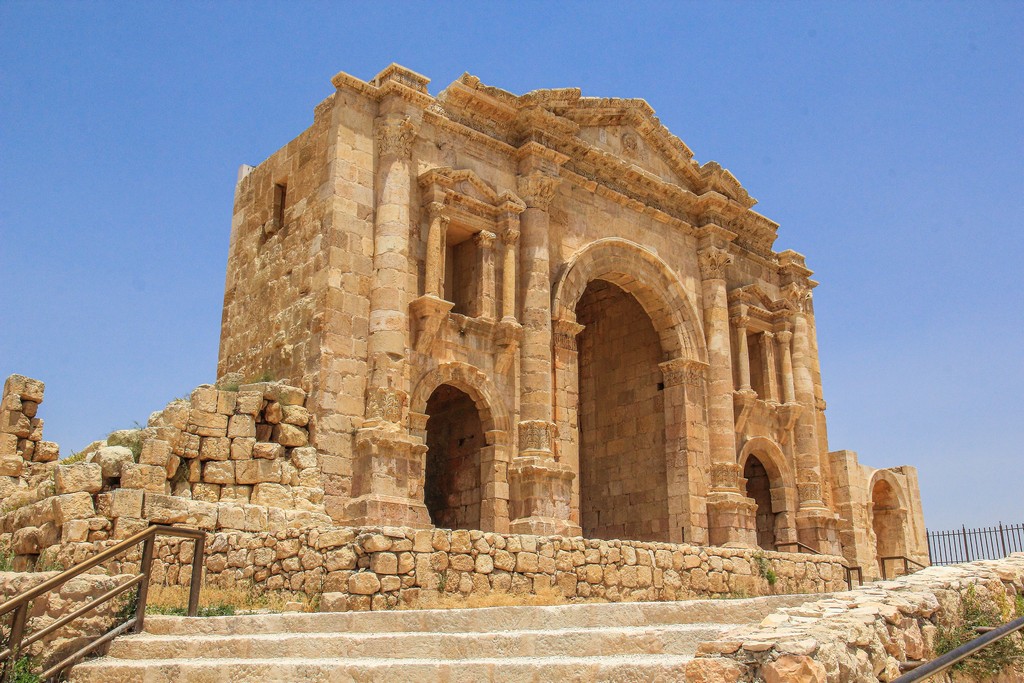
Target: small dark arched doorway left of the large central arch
pixel 455 438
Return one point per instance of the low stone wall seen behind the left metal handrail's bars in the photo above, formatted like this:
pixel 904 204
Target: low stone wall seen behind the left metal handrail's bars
pixel 51 607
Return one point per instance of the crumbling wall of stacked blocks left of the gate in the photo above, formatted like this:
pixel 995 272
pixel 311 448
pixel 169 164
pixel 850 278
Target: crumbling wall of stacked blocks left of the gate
pixel 234 459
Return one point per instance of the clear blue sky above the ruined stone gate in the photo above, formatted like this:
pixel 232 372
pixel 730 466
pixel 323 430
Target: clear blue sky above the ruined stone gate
pixel 885 138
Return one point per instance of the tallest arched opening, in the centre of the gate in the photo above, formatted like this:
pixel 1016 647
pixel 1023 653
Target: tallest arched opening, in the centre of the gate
pixel 623 481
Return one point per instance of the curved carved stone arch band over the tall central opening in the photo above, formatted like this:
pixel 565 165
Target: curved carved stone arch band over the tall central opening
pixel 641 273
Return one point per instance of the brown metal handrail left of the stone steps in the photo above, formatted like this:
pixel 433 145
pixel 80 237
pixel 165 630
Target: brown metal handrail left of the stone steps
pixel 20 605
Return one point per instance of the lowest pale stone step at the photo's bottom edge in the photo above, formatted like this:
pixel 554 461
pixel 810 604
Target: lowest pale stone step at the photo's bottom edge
pixel 661 668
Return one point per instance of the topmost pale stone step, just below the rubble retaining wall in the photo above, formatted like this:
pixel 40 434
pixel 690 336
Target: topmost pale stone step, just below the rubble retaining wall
pixel 487 620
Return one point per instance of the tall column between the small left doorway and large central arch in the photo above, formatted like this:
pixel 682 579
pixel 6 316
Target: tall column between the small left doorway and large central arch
pixel 541 487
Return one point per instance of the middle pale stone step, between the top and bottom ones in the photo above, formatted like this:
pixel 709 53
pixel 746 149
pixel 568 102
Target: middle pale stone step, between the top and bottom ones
pixel 678 641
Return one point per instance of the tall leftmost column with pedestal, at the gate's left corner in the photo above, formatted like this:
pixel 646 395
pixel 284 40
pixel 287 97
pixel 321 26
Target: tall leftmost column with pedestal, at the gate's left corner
pixel 388 481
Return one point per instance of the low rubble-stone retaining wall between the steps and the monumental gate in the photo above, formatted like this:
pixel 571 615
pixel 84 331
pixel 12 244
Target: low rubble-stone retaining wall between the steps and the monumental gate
pixel 383 569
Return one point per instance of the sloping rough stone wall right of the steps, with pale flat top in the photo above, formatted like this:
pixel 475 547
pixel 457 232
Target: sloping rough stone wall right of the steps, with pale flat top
pixel 862 635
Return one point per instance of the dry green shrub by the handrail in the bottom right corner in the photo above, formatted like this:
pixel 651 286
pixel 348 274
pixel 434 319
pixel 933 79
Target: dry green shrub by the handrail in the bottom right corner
pixel 975 613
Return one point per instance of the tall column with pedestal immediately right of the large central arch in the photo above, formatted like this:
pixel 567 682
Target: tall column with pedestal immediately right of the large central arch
pixel 729 509
